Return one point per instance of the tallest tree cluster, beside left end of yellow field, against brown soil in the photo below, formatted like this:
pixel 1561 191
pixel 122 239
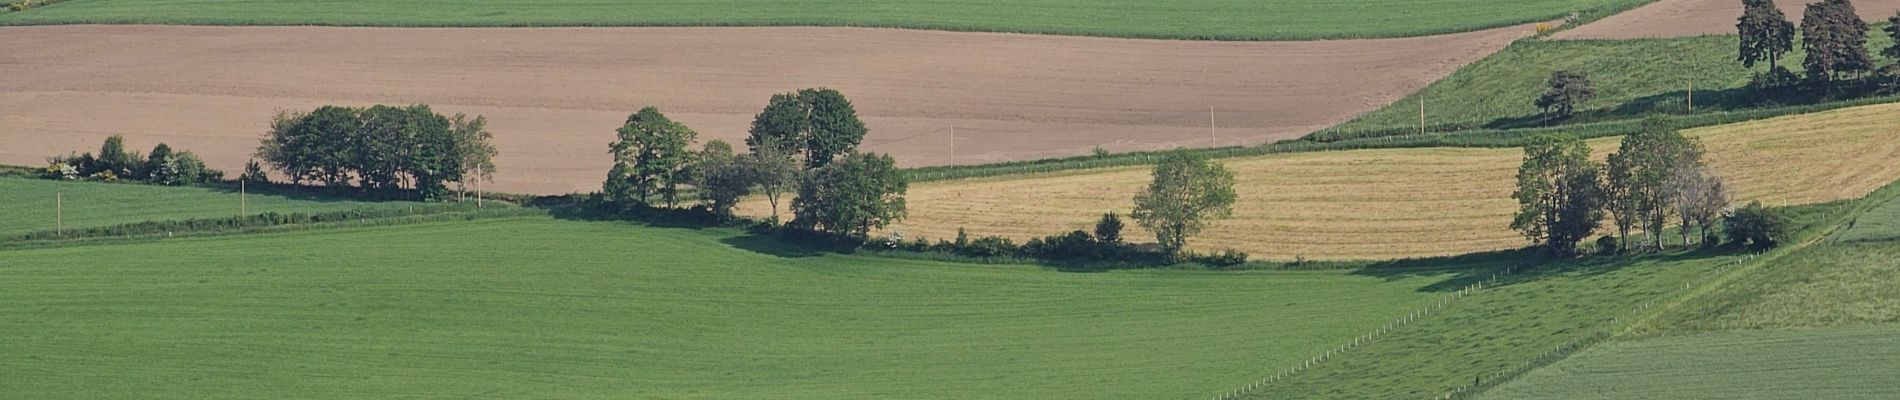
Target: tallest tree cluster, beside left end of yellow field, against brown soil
pixel 803 143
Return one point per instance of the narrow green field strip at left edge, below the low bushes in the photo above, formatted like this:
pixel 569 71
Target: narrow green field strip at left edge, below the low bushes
pixel 31 204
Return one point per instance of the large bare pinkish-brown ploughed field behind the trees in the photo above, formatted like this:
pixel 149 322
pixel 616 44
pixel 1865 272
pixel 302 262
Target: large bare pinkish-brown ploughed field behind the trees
pixel 556 96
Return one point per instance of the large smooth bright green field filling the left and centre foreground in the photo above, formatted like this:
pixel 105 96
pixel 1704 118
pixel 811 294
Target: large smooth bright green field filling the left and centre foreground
pixel 535 308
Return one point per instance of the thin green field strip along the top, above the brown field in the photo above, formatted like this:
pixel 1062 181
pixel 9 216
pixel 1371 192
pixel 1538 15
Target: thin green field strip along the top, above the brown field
pixel 1226 20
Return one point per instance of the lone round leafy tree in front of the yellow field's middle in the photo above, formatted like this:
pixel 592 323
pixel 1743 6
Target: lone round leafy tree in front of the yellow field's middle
pixel 1187 194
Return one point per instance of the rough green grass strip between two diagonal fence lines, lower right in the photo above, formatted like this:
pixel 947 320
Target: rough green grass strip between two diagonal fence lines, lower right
pixel 1496 329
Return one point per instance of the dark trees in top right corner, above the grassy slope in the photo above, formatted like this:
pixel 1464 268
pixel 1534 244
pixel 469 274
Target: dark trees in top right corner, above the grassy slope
pixel 1833 37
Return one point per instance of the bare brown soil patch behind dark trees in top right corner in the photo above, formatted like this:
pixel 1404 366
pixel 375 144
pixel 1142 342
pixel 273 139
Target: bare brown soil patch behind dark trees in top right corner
pixel 1696 18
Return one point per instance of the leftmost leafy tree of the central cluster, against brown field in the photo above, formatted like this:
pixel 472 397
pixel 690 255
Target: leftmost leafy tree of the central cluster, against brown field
pixel 655 153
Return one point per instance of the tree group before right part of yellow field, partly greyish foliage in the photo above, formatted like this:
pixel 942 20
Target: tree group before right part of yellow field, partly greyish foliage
pixel 1656 177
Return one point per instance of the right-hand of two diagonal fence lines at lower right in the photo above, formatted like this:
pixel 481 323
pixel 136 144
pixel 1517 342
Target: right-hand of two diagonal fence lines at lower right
pixel 1586 342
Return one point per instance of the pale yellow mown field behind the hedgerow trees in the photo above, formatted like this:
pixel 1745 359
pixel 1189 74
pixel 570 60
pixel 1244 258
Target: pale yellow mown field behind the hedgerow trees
pixel 1405 204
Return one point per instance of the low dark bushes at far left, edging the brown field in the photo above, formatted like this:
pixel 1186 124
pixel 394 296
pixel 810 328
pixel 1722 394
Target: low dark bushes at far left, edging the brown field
pixel 117 164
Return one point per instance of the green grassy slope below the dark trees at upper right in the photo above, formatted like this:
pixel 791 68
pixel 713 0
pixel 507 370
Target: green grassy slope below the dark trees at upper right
pixel 1633 77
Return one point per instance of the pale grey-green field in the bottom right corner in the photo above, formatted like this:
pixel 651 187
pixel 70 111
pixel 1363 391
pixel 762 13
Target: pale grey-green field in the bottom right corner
pixel 1827 363
